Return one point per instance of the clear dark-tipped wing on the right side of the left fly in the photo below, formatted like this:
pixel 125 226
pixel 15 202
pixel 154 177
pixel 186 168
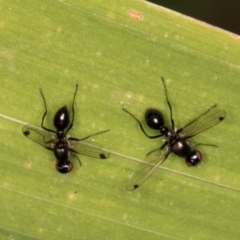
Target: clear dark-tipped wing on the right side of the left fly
pixel 85 148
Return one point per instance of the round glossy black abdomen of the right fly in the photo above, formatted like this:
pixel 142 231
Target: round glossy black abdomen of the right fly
pixel 154 119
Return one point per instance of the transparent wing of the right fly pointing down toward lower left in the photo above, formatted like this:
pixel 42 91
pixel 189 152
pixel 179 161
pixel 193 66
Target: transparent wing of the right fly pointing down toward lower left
pixel 145 169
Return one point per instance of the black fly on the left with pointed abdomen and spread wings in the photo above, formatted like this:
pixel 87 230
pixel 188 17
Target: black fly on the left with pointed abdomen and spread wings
pixel 63 146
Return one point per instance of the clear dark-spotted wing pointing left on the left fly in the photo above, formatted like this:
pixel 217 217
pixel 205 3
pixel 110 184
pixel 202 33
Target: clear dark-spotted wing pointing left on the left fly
pixel 39 136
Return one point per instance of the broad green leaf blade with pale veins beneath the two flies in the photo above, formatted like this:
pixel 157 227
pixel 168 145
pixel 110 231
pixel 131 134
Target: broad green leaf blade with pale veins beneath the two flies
pixel 117 52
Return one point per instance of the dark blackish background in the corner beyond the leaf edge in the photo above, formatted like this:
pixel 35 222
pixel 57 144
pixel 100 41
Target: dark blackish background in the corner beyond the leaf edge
pixel 221 13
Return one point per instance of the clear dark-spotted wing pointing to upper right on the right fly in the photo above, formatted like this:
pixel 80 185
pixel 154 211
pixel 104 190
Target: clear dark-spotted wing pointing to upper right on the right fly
pixel 205 121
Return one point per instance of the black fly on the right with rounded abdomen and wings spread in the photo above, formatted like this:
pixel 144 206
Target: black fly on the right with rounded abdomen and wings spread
pixel 176 141
